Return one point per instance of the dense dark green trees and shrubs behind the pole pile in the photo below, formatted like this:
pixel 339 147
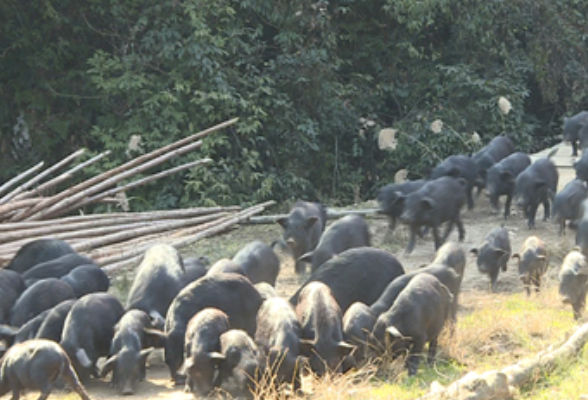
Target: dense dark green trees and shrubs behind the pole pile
pixel 313 82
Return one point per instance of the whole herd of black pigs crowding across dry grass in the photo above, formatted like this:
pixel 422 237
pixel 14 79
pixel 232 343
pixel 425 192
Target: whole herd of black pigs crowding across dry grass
pixel 223 326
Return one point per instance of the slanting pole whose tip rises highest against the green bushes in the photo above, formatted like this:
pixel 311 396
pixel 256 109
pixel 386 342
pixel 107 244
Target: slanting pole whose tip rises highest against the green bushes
pixel 130 164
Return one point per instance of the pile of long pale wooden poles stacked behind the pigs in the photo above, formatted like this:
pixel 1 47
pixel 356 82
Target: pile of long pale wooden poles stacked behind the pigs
pixel 113 240
